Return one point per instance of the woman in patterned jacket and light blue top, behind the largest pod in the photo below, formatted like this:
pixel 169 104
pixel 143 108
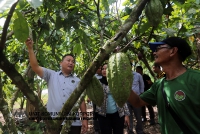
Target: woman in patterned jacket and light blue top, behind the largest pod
pixel 110 116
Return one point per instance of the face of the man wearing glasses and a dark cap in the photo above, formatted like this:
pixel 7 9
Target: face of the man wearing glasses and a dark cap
pixel 162 54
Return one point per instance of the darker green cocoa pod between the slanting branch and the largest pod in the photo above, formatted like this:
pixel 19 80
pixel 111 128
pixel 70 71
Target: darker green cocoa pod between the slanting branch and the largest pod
pixel 95 91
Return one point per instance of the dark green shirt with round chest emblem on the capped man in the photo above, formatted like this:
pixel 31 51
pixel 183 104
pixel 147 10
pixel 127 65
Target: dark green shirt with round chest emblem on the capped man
pixel 183 94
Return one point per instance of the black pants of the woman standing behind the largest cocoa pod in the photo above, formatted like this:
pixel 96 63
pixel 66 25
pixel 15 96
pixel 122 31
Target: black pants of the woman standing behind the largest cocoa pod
pixel 111 124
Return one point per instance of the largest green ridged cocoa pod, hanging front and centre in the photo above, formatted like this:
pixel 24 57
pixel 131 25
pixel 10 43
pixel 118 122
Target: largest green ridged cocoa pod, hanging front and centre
pixel 120 77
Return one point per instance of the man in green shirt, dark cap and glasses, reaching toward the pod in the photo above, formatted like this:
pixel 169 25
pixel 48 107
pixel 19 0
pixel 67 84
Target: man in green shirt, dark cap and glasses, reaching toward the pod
pixel 181 85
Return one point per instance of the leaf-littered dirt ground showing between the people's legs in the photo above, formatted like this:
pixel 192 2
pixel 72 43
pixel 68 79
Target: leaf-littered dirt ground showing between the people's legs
pixel 148 129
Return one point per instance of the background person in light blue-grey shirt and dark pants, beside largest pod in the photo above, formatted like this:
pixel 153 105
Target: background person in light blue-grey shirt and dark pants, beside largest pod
pixel 138 87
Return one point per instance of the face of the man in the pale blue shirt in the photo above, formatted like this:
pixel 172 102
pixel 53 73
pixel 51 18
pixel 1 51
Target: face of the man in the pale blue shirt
pixel 68 64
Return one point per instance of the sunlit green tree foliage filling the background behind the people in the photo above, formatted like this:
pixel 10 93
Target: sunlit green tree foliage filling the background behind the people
pixel 84 27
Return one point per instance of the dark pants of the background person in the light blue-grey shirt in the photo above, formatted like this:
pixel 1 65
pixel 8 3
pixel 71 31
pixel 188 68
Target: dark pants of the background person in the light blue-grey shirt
pixel 137 113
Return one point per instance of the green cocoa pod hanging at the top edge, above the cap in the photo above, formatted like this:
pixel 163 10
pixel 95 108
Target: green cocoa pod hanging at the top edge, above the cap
pixel 154 12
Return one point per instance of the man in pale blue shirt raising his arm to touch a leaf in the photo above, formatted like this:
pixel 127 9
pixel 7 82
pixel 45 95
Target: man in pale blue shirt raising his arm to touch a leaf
pixel 60 84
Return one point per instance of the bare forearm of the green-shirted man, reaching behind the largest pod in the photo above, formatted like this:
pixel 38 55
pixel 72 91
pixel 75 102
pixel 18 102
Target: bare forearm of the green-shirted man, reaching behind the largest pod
pixel 135 100
